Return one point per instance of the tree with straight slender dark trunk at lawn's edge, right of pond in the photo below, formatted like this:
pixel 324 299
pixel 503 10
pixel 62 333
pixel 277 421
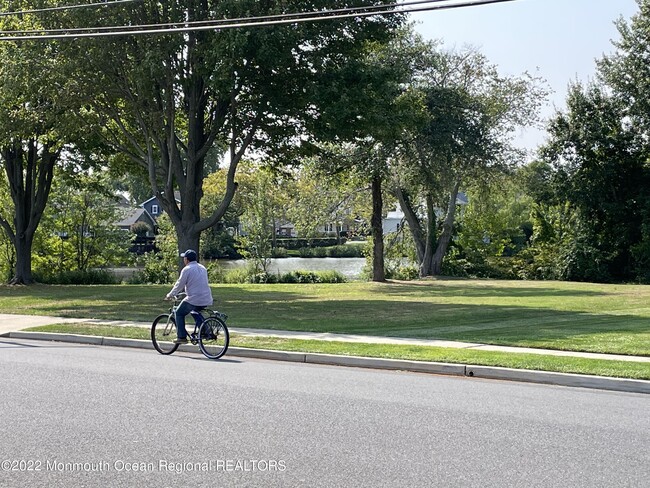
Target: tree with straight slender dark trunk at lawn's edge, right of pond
pixel 368 120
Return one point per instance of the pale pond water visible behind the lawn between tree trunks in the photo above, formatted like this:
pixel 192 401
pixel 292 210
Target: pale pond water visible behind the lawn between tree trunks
pixel 348 267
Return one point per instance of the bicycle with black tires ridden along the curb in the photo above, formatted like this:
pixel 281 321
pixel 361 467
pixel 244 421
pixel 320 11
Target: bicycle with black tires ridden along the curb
pixel 210 331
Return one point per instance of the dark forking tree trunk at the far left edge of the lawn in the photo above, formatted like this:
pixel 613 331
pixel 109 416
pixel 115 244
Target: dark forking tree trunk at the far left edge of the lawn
pixel 30 169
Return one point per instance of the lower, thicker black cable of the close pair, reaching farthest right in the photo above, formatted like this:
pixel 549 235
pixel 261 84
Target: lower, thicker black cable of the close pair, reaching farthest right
pixel 219 25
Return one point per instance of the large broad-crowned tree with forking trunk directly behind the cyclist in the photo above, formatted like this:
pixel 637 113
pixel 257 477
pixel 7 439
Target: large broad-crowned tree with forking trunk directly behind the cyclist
pixel 167 101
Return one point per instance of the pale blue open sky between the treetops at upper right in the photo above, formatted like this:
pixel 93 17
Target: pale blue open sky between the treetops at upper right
pixel 558 40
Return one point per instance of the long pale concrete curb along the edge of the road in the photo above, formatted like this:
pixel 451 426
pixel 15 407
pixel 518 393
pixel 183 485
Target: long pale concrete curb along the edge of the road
pixel 528 376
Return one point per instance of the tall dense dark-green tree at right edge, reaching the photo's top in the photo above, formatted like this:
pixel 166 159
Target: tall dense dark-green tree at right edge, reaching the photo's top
pixel 599 149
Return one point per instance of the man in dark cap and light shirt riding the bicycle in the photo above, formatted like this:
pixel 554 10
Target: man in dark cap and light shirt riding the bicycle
pixel 193 280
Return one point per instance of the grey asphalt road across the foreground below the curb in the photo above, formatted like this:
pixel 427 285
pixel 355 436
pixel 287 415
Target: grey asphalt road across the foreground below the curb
pixel 82 416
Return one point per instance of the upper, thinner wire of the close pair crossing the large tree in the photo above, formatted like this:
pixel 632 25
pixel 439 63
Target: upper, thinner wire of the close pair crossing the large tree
pixel 217 22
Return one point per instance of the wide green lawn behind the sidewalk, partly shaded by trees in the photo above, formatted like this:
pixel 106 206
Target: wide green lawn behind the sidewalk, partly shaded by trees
pixel 569 316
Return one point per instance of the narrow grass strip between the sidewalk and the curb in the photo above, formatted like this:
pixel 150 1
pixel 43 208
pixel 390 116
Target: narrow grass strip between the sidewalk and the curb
pixel 537 362
